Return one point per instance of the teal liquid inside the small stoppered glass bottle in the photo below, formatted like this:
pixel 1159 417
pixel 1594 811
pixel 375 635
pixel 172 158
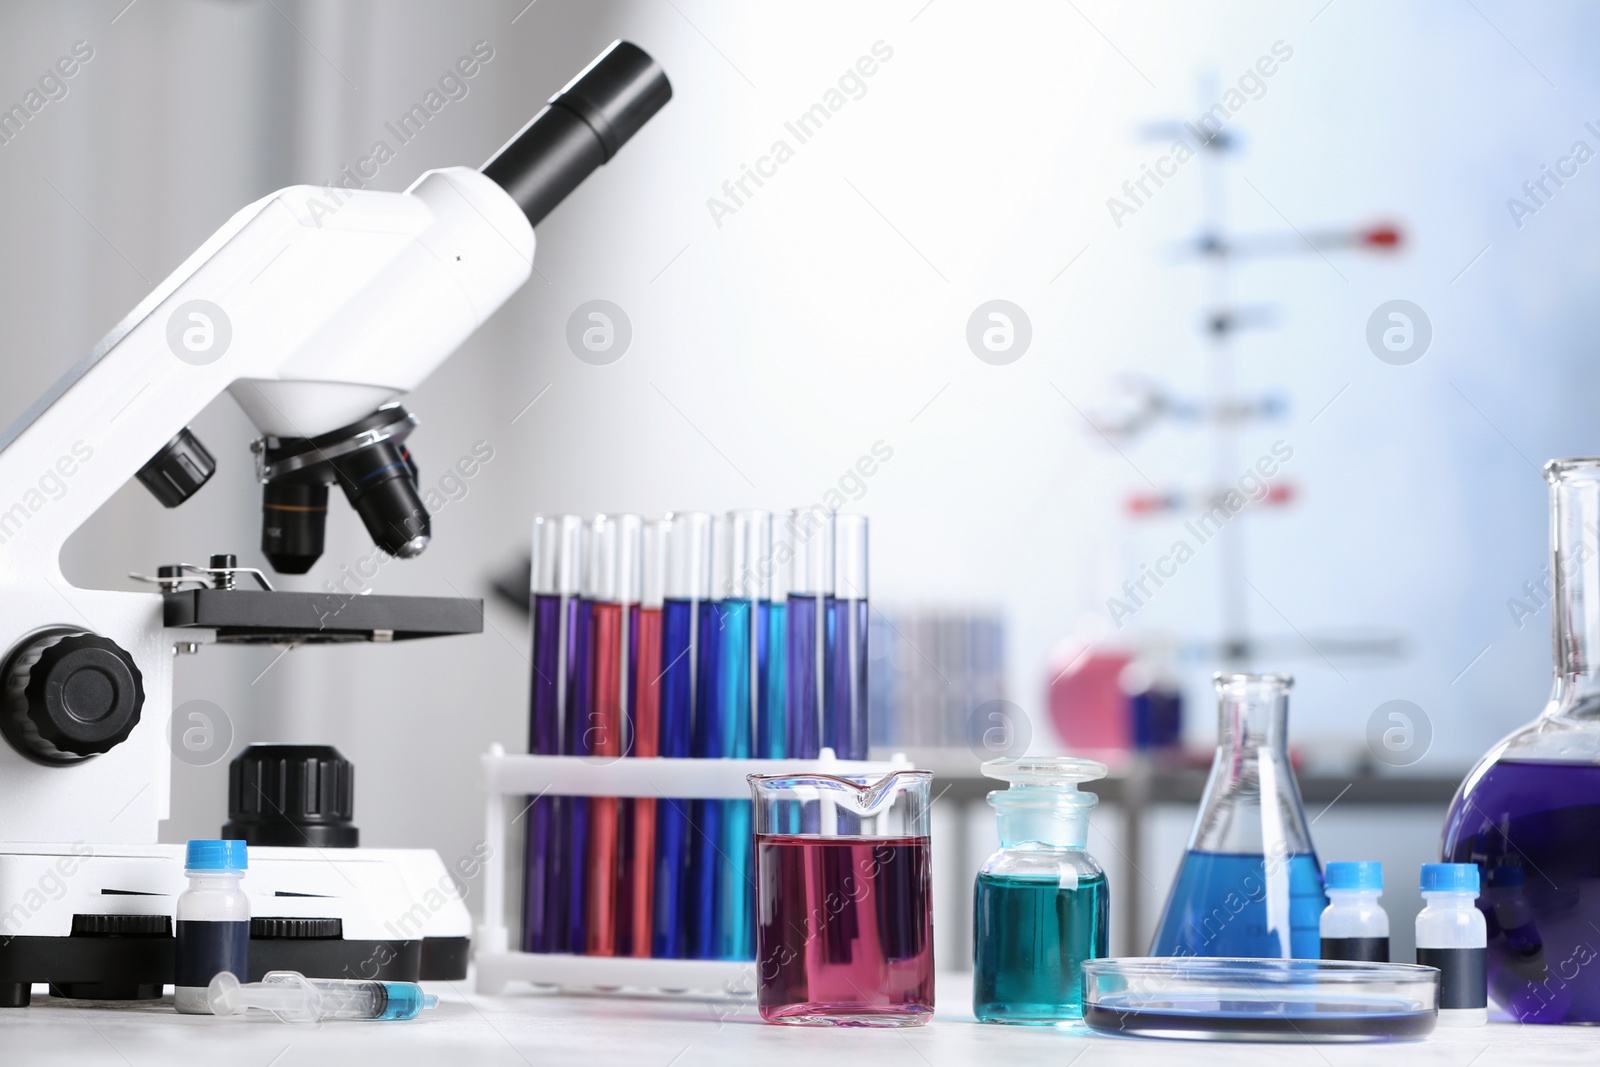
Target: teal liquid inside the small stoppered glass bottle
pixel 1033 973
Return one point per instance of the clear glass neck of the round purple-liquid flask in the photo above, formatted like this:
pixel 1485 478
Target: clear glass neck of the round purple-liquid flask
pixel 1575 577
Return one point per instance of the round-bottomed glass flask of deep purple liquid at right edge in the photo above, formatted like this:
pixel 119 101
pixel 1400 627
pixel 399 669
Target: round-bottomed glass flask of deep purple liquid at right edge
pixel 1527 813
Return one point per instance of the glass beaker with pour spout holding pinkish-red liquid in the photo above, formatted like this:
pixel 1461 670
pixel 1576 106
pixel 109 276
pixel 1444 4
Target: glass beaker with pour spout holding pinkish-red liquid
pixel 844 913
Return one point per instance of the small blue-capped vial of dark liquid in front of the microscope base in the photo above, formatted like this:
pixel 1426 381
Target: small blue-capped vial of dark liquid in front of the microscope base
pixel 214 924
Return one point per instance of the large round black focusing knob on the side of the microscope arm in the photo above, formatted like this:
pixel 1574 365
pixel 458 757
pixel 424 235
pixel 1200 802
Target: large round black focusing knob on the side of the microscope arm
pixel 70 697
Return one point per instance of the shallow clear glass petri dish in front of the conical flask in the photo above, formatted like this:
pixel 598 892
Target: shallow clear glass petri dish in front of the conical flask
pixel 1260 1001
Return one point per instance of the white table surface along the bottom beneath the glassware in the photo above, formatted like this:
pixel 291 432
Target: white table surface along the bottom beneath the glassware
pixel 543 1029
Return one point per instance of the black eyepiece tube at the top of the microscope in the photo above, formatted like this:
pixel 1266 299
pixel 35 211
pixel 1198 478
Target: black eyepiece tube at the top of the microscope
pixel 582 129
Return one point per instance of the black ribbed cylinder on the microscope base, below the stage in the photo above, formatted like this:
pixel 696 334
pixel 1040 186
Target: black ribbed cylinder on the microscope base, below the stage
pixel 297 796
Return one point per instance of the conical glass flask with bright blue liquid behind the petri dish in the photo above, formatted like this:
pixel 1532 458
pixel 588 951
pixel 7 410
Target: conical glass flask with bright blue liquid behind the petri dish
pixel 1250 884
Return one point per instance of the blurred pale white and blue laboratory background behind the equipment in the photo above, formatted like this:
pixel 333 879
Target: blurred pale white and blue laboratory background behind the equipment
pixel 1199 263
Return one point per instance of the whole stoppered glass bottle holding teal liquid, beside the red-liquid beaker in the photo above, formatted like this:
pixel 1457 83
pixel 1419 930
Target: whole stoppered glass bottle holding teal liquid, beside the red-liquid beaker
pixel 1041 906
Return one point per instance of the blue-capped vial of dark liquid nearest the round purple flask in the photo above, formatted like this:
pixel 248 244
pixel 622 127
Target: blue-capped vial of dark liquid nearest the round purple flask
pixel 1452 935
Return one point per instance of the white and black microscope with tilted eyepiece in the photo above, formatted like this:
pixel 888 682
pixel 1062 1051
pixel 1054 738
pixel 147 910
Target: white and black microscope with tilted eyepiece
pixel 316 310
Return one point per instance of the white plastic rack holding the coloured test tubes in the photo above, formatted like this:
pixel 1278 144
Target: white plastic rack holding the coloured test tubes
pixel 513 780
